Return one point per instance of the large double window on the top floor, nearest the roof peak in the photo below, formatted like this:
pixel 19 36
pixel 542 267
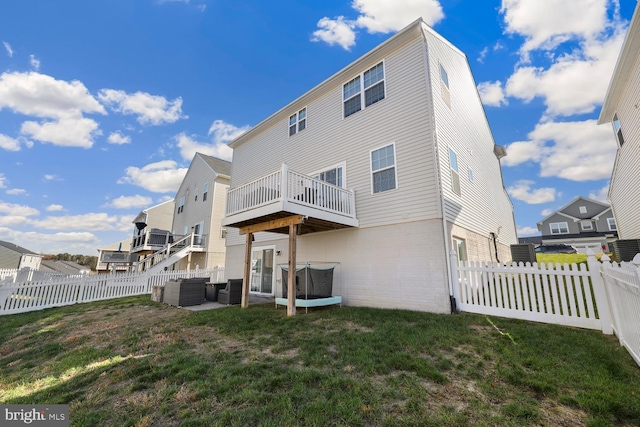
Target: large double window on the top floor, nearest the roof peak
pixel 353 94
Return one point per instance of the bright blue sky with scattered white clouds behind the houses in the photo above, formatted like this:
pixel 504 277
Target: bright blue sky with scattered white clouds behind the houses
pixel 103 103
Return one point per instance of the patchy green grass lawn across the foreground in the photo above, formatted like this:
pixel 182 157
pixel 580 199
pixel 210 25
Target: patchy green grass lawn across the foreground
pixel 132 362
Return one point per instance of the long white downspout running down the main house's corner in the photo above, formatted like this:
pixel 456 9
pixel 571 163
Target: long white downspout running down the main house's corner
pixel 447 248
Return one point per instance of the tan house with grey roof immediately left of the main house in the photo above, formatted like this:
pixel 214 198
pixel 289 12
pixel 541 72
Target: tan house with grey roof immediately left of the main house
pixel 199 209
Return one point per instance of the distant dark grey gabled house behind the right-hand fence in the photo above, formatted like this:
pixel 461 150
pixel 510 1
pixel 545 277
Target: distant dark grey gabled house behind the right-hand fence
pixel 583 223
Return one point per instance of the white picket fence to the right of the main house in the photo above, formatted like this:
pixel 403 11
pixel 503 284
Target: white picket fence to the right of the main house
pixel 600 295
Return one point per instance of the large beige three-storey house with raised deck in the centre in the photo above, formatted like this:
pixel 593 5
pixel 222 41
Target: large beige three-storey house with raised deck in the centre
pixel 385 167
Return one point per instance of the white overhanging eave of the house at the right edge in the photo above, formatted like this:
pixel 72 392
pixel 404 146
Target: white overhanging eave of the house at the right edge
pixel 626 59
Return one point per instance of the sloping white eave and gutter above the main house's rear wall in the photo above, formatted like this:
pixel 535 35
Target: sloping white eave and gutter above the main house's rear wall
pixel 329 82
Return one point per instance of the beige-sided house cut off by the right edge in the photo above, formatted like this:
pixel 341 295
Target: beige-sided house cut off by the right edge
pixel 621 108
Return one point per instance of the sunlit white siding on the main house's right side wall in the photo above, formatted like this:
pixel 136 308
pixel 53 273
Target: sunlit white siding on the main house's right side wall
pixel 461 125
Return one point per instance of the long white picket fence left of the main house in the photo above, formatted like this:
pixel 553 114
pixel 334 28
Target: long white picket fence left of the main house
pixel 23 296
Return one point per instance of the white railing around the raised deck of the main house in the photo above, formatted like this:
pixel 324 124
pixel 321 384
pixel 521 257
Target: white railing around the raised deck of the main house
pixel 298 188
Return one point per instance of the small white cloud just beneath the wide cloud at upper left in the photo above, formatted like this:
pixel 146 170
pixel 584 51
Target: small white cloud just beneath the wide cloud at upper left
pixel 75 131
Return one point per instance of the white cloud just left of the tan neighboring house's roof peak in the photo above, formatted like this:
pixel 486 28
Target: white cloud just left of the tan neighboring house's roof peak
pixel 159 177
